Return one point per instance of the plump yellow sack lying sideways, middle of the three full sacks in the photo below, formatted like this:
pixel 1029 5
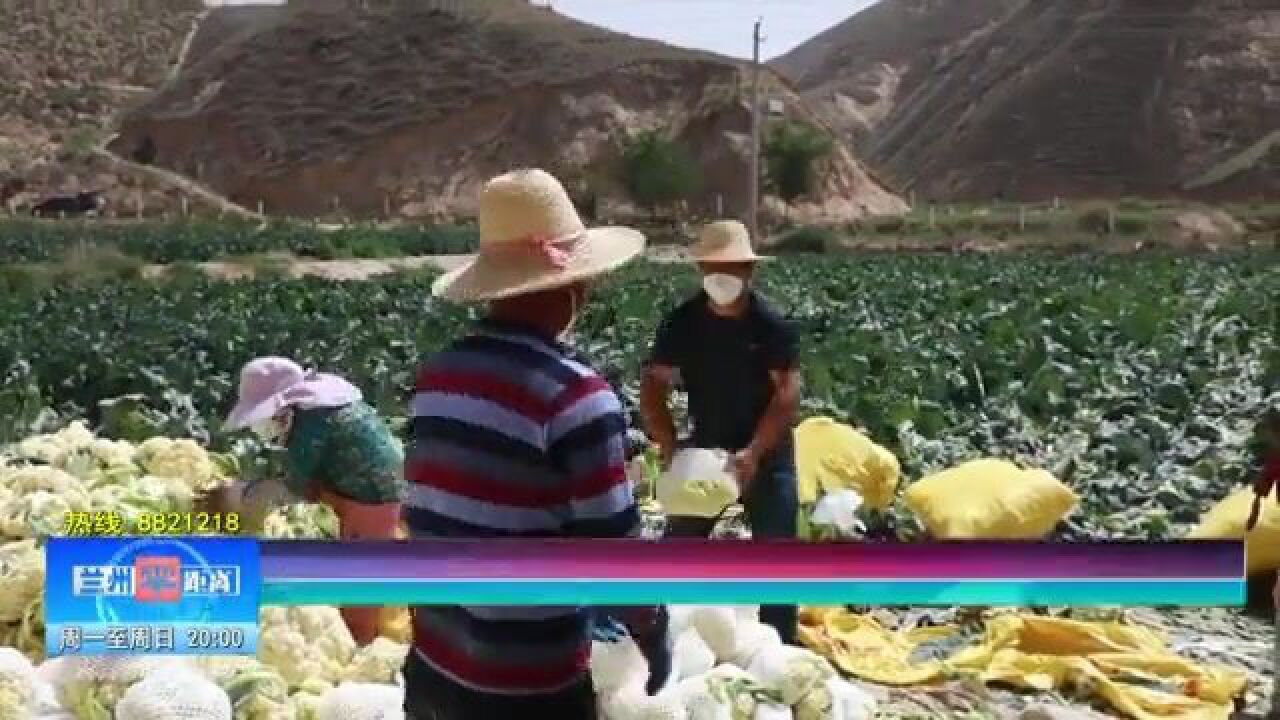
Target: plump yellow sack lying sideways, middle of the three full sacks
pixel 990 499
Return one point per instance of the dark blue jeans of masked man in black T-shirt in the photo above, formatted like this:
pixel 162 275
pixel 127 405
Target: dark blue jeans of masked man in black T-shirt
pixel 772 503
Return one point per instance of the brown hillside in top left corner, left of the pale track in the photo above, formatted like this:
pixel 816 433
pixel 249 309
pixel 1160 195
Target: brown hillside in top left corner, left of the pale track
pixel 67 70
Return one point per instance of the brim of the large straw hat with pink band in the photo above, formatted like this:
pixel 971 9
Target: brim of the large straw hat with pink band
pixel 481 279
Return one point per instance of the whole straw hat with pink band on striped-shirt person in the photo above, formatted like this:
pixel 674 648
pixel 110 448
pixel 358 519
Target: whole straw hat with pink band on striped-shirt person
pixel 532 239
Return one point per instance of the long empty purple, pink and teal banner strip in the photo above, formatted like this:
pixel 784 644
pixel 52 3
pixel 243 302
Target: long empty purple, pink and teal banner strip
pixel 546 572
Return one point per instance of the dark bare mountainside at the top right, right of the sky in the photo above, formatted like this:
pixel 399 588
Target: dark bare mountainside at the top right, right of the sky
pixel 1028 101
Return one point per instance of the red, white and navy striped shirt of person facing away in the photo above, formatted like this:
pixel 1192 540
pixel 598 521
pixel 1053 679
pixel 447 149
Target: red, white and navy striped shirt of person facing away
pixel 514 436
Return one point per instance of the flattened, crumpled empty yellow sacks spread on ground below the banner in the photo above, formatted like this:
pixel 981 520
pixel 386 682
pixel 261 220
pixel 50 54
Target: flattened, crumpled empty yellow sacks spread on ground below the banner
pixel 1114 662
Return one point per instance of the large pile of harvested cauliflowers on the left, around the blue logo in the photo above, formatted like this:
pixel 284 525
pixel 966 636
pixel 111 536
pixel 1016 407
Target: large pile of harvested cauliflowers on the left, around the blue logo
pixel 308 668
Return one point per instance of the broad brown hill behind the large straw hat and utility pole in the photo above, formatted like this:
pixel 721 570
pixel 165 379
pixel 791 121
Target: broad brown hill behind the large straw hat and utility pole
pixel 404 108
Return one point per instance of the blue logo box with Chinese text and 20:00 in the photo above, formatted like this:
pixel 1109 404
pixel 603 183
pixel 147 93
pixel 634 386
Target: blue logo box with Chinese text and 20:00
pixel 152 596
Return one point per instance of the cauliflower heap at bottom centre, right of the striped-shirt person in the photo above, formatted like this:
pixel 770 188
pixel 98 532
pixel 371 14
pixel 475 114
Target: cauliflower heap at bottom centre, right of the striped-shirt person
pixel 728 667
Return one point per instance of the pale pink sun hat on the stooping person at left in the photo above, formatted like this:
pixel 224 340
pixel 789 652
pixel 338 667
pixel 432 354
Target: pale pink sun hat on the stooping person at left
pixel 271 385
